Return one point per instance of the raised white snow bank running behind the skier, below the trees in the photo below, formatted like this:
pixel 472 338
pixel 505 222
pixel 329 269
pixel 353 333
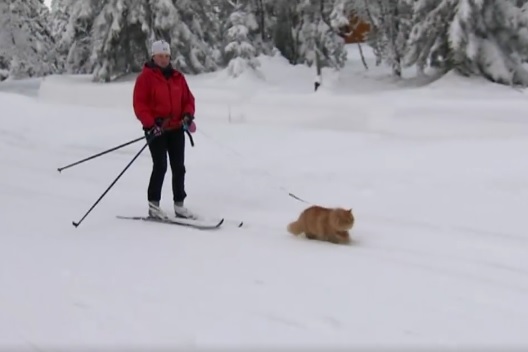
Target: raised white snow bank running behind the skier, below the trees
pixel 349 100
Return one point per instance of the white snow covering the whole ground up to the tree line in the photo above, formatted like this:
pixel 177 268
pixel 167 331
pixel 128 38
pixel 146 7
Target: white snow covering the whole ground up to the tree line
pixel 435 175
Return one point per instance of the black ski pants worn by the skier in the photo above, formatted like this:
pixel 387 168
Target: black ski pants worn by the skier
pixel 171 142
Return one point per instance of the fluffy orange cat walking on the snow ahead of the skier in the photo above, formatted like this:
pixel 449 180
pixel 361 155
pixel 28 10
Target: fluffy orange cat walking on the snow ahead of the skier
pixel 324 224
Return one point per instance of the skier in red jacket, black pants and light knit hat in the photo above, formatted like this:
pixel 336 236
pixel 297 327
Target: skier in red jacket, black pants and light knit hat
pixel 164 104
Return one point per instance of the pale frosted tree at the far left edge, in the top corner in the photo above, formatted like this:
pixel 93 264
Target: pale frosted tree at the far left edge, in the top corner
pixel 26 43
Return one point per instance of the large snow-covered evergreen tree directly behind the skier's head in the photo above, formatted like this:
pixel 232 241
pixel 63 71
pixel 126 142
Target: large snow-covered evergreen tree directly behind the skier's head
pixel 124 30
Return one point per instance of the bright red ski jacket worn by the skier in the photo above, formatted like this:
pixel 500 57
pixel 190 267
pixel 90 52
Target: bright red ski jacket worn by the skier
pixel 157 96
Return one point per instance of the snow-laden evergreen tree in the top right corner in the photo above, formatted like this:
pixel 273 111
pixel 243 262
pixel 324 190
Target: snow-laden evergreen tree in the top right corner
pixel 490 38
